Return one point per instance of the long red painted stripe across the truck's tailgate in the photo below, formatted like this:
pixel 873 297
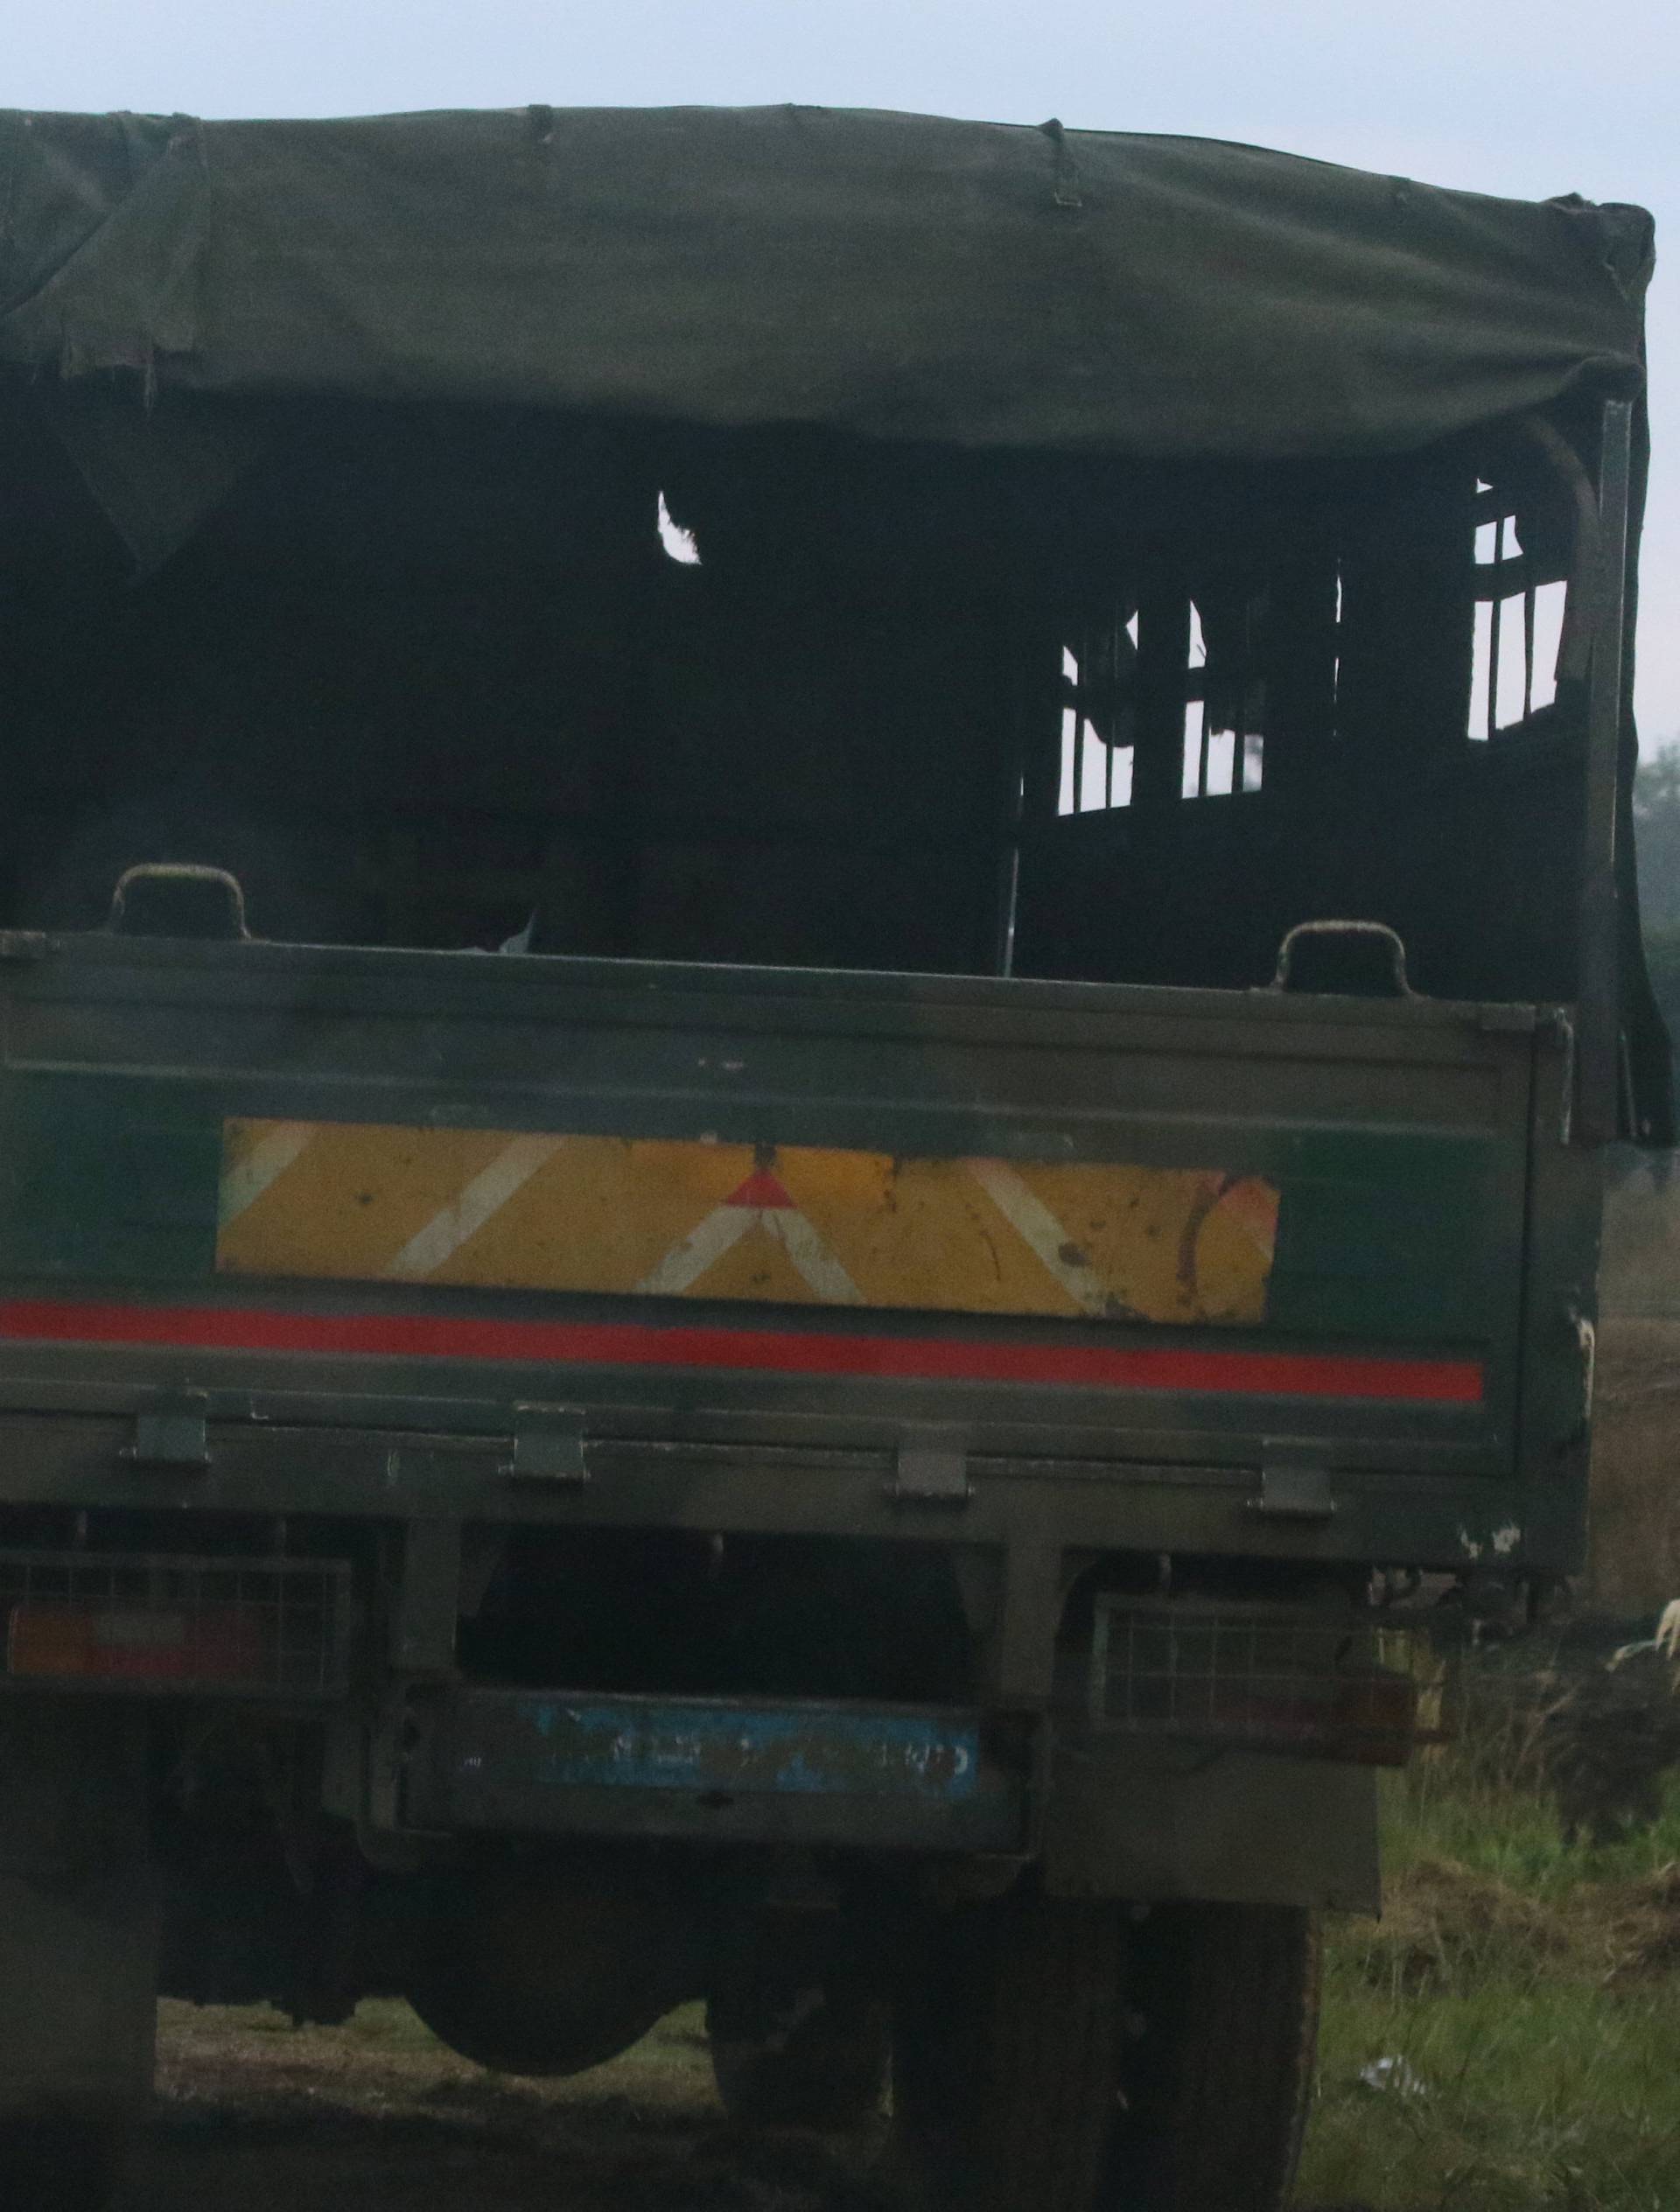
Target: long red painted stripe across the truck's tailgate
pixel 639 1344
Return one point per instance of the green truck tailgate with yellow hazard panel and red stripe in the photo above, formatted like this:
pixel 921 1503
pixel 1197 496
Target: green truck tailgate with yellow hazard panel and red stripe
pixel 1092 1222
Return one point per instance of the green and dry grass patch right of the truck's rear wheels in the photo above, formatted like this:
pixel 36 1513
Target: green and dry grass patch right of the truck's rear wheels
pixel 1531 1996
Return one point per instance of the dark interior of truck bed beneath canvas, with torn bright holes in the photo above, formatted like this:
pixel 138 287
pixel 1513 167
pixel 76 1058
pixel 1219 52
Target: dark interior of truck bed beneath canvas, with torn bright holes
pixel 428 676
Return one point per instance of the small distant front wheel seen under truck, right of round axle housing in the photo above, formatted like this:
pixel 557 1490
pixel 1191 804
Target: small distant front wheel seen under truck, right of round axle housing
pixel 820 2065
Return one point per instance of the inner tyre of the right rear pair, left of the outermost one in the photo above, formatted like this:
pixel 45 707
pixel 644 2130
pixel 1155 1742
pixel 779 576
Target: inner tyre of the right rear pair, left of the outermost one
pixel 1004 2065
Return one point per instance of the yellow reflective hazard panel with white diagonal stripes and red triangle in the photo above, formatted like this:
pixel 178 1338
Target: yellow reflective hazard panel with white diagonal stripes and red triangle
pixel 771 1224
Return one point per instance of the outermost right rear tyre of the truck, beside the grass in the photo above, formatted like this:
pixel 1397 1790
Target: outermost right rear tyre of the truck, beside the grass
pixel 1223 2014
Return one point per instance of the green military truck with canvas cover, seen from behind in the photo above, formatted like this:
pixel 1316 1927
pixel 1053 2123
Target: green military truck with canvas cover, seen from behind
pixel 818 937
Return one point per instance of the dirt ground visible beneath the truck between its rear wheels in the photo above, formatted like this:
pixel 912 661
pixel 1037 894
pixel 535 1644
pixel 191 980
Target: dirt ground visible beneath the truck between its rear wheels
pixel 377 2118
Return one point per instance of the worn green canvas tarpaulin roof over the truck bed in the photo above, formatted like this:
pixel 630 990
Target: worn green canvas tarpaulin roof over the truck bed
pixel 891 275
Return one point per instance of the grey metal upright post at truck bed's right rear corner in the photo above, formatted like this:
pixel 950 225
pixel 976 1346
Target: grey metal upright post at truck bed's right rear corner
pixel 1599 970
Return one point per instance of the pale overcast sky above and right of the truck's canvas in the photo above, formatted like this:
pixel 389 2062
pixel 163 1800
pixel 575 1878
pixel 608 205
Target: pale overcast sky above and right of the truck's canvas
pixel 1500 96
